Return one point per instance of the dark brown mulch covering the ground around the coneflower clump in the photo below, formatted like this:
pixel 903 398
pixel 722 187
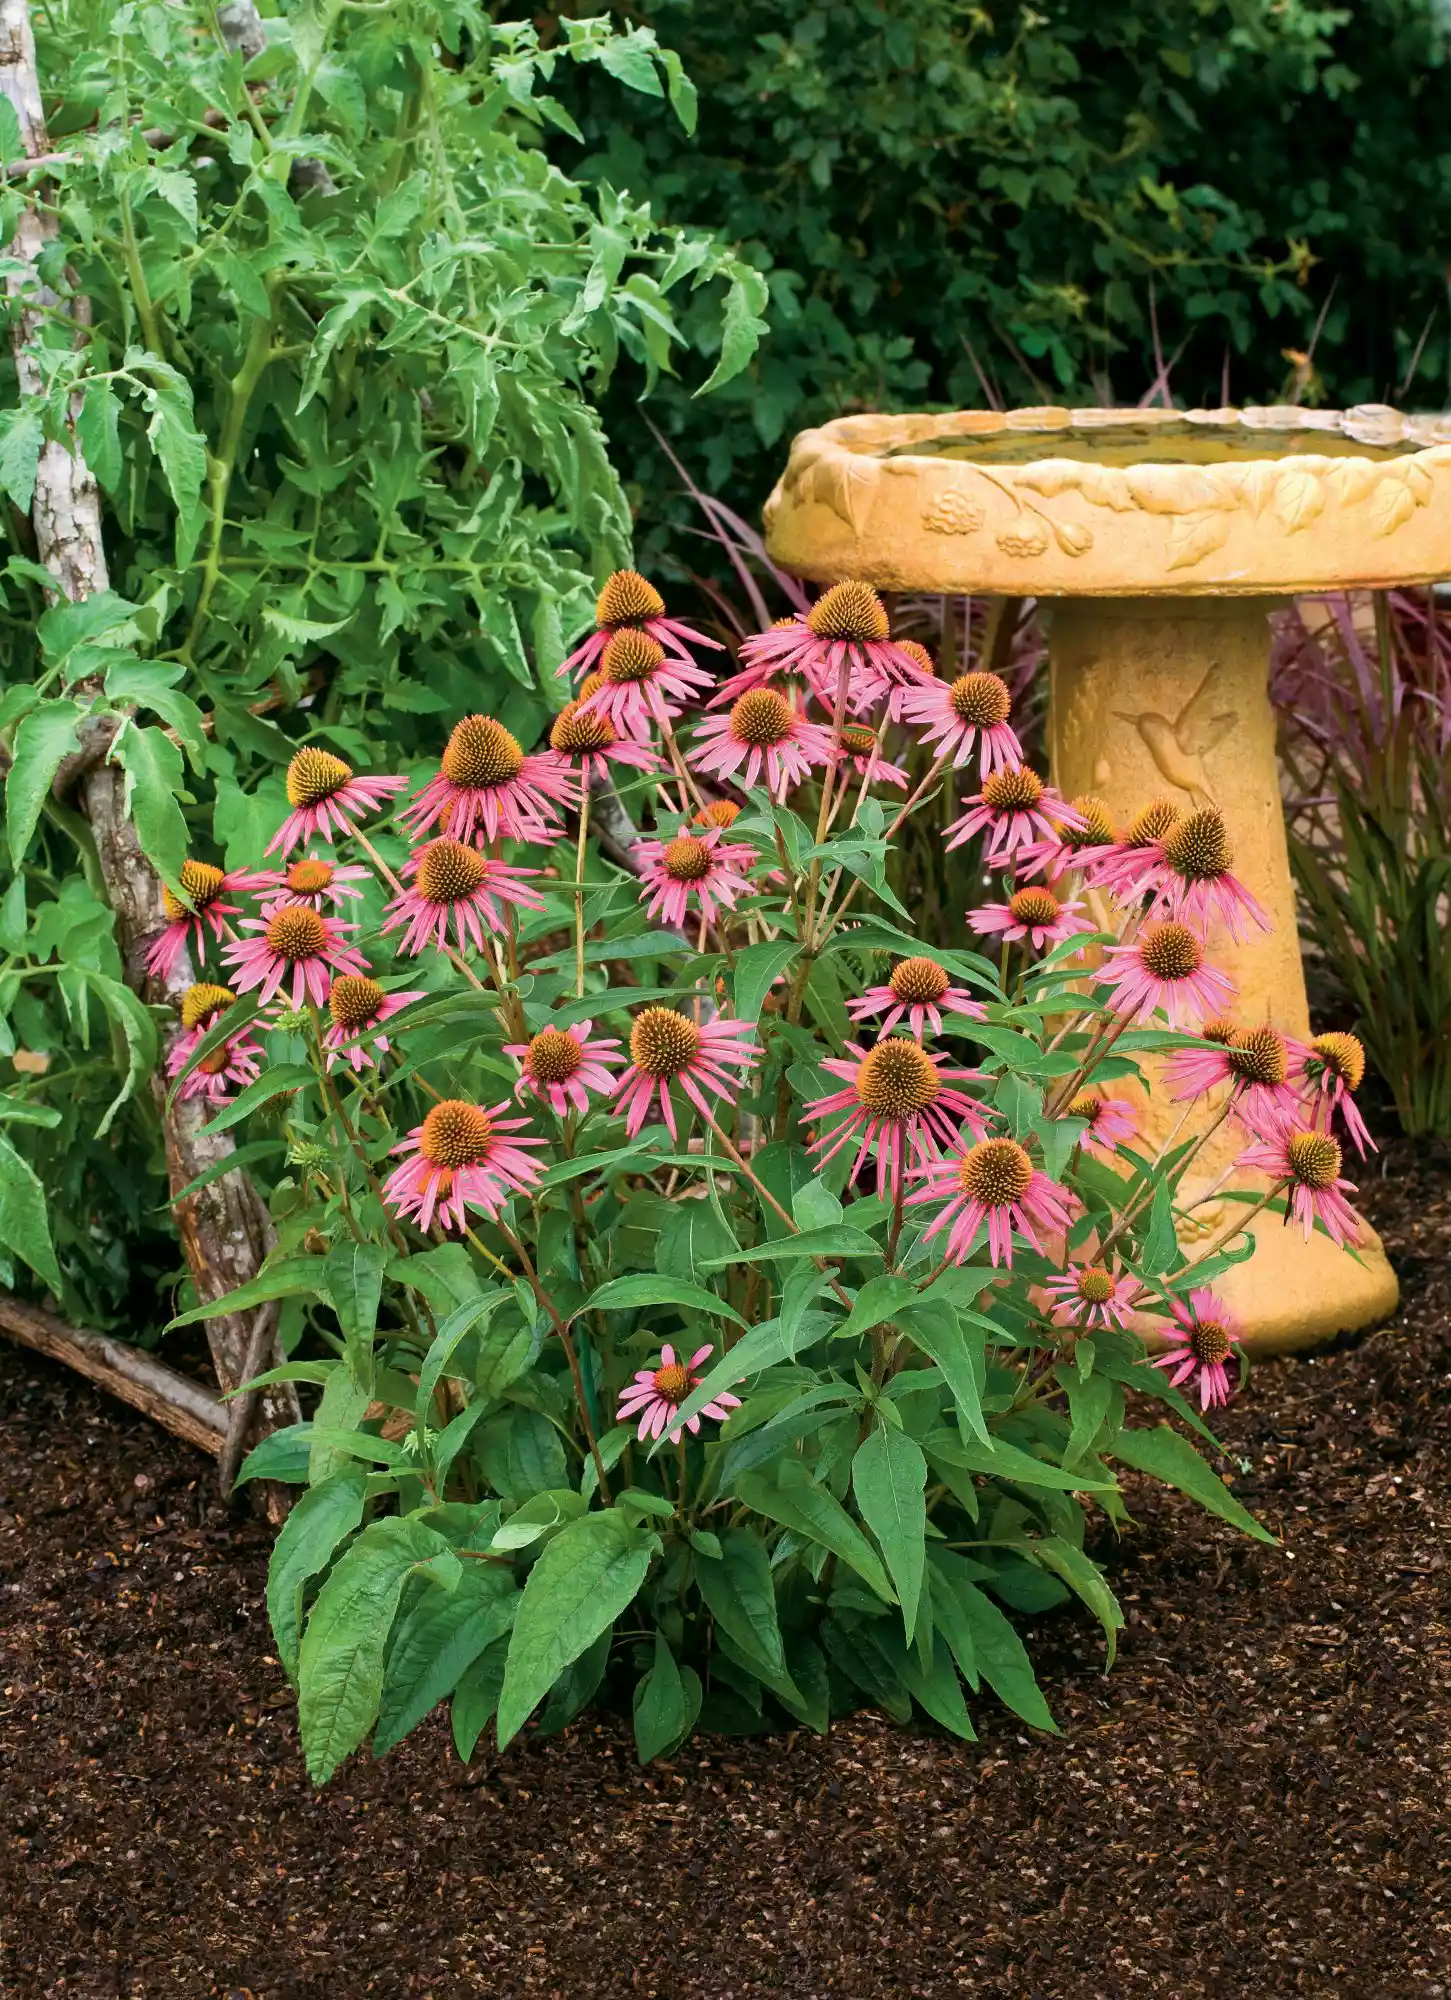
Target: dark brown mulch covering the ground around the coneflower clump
pixel 1254 1803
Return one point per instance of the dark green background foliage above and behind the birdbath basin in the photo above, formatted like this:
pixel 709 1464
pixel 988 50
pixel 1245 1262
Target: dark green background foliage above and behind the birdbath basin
pixel 916 177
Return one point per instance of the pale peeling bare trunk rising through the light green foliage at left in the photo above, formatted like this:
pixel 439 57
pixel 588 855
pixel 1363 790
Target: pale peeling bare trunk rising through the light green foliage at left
pixel 227 1231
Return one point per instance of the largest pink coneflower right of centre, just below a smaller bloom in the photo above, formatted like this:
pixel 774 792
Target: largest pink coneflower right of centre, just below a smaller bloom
pixel 898 1101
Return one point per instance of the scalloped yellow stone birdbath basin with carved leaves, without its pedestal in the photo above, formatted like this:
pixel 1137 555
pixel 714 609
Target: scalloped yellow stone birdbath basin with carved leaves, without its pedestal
pixel 1120 503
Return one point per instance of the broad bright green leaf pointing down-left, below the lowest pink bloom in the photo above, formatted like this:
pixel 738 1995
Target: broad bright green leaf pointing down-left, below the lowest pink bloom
pixel 577 1591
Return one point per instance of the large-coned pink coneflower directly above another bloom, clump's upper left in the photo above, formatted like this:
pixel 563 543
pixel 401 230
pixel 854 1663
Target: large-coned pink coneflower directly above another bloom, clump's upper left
pixel 487 781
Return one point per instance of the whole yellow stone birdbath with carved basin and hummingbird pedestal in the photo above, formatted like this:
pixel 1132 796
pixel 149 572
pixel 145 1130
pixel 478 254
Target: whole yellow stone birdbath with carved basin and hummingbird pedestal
pixel 1158 541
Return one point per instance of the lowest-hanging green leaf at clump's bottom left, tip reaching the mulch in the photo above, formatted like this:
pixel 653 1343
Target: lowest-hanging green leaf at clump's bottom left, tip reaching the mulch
pixel 341 1663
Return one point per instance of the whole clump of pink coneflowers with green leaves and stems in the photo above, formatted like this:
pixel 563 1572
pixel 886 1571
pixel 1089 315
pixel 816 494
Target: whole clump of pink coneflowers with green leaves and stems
pixel 715 1297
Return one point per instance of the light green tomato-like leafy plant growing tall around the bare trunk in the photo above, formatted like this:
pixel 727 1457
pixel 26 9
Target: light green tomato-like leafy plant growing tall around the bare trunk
pixel 347 329
